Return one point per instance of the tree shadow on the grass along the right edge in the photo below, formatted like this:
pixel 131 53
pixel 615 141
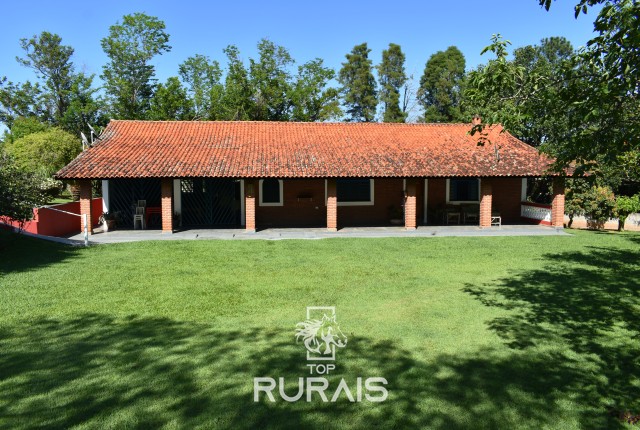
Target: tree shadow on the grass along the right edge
pixel 585 305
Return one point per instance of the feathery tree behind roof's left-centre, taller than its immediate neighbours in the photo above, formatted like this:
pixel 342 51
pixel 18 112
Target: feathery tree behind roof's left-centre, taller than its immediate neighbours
pixel 270 82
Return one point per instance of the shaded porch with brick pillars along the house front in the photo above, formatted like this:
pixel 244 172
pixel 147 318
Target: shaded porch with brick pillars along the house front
pixel 173 204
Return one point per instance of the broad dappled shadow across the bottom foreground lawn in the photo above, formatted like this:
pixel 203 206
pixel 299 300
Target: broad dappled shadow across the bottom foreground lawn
pixel 96 371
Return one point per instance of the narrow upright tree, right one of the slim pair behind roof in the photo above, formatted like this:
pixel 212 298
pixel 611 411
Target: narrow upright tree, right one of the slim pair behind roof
pixel 392 77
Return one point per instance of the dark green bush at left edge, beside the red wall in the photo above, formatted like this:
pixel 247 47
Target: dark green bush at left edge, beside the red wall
pixel 20 190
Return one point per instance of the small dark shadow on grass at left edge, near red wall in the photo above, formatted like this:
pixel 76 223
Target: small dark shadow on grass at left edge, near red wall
pixel 19 253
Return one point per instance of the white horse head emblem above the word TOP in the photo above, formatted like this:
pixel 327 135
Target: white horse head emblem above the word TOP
pixel 321 337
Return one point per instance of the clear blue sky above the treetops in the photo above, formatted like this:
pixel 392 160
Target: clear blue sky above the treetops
pixel 327 29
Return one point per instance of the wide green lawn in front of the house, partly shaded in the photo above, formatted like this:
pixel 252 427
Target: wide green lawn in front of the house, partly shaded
pixel 505 332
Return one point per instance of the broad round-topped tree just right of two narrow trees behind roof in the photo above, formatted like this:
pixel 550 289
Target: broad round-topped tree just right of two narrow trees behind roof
pixel 441 86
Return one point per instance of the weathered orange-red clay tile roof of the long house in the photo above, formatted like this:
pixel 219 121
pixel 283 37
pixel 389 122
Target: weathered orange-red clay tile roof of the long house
pixel 133 149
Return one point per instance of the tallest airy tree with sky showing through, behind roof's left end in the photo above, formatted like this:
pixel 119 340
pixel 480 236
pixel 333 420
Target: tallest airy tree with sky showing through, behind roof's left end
pixel 128 76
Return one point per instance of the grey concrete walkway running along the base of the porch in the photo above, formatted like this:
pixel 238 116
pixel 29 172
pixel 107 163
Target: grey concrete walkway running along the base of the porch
pixel 117 236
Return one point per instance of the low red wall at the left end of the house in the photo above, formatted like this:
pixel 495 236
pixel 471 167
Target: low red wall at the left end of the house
pixel 49 222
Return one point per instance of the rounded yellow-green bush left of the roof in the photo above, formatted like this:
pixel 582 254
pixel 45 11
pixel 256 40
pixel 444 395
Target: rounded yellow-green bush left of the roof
pixel 44 152
